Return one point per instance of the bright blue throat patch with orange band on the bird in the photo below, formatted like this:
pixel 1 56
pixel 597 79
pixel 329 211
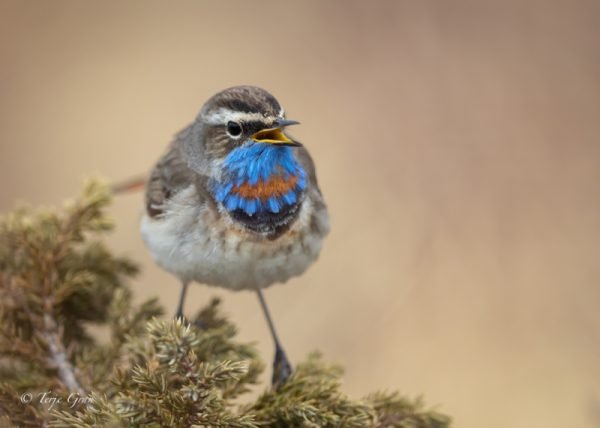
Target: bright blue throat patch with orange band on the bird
pixel 259 178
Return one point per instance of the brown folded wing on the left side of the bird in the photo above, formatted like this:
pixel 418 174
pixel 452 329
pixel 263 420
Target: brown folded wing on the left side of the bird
pixel 170 175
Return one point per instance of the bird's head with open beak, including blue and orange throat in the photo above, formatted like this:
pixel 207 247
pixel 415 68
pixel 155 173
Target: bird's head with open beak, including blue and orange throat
pixel 238 143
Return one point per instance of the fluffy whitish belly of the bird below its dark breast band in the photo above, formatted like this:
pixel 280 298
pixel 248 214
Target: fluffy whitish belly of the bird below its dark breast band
pixel 196 244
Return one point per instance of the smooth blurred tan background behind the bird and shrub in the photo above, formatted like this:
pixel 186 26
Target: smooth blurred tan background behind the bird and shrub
pixel 456 144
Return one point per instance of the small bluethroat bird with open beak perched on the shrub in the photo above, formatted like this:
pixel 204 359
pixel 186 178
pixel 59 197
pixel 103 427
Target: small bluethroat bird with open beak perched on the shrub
pixel 234 202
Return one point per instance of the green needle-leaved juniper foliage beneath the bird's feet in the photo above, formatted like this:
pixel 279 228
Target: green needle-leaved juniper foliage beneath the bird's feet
pixel 57 280
